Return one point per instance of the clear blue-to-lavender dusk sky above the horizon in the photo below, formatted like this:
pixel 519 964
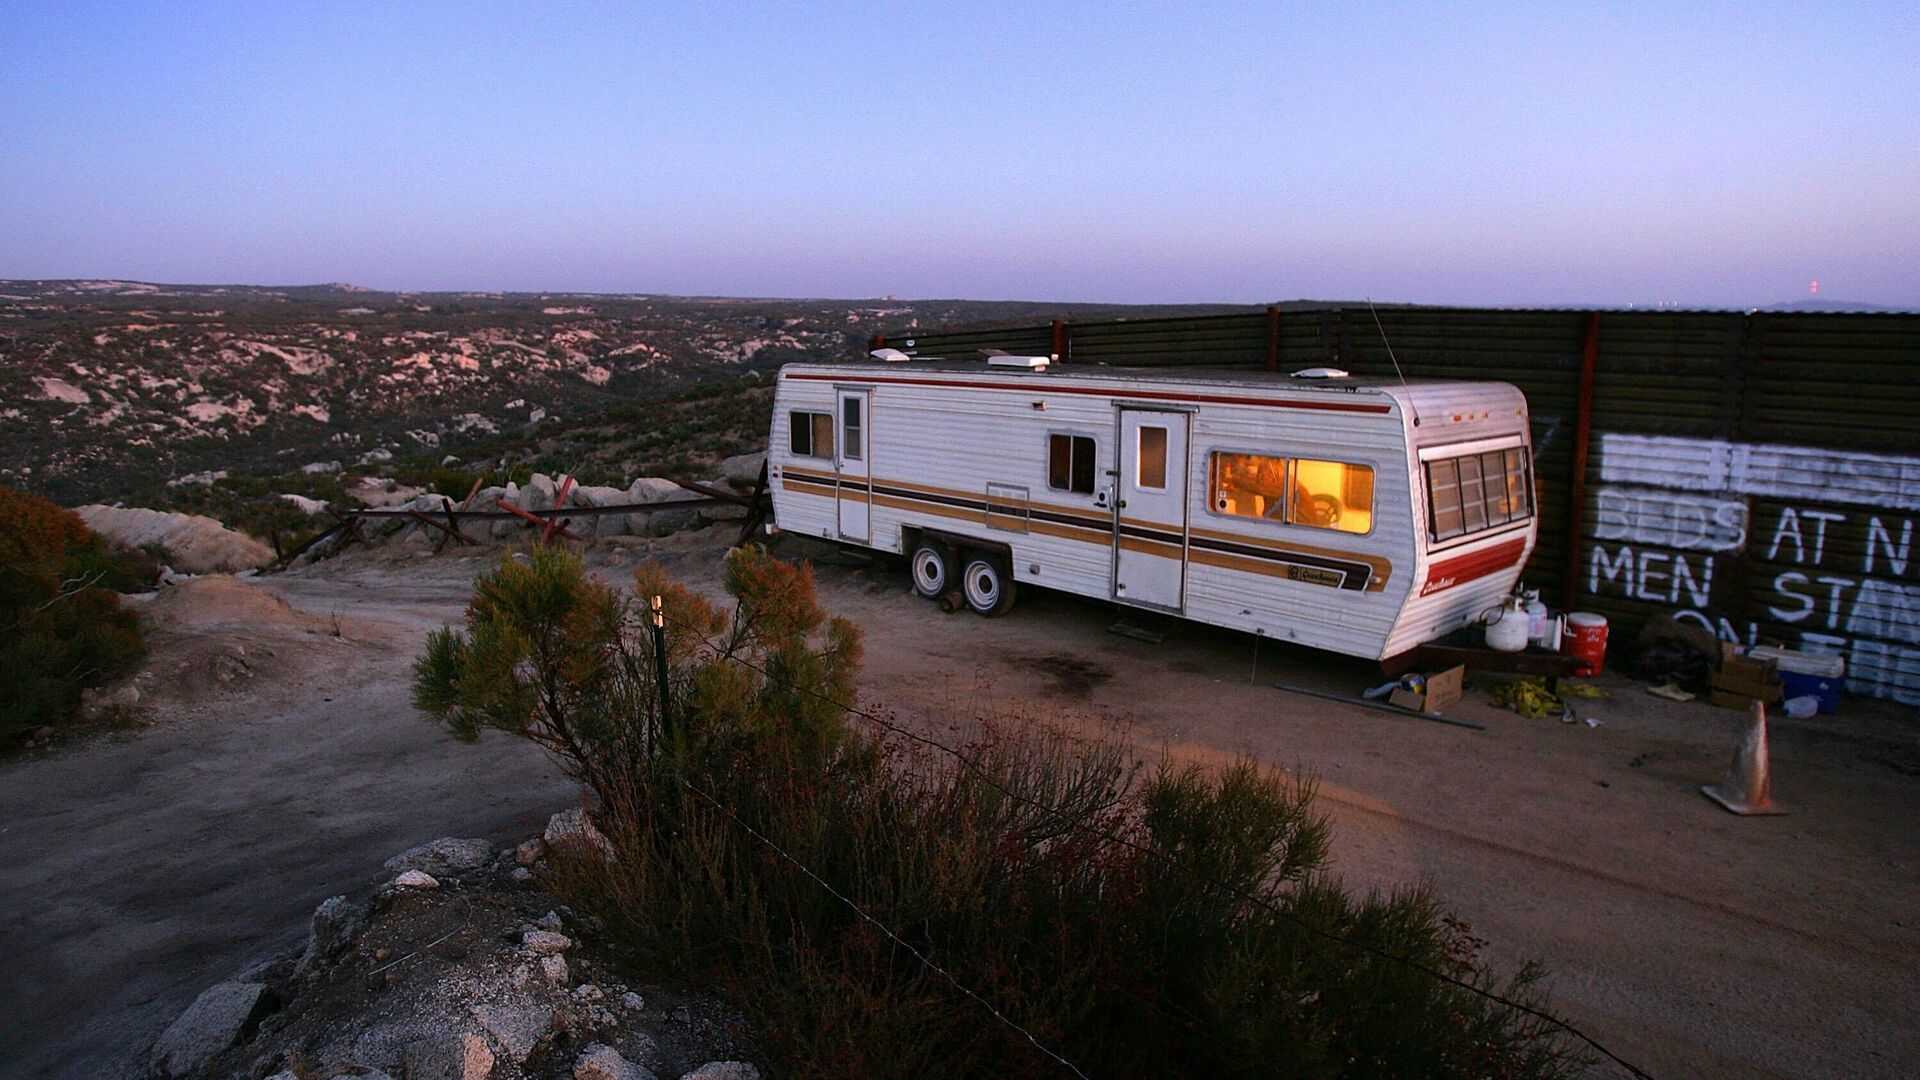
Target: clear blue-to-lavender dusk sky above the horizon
pixel 1197 153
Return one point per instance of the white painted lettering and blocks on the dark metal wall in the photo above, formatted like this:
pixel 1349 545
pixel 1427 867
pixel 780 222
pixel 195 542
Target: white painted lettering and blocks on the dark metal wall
pixel 1813 547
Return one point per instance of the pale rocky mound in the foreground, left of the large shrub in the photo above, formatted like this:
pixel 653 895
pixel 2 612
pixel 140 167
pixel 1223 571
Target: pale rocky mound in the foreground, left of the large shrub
pixel 485 977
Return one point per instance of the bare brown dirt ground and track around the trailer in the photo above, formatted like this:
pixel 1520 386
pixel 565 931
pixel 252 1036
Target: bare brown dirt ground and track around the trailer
pixel 135 870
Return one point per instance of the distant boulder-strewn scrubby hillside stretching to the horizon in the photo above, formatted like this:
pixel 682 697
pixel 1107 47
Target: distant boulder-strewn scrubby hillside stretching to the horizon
pixel 112 387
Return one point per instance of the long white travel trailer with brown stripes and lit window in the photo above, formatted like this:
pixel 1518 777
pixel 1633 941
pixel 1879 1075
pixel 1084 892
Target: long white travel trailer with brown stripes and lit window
pixel 1355 516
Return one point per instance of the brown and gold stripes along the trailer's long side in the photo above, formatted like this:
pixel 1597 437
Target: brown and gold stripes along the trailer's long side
pixel 1332 570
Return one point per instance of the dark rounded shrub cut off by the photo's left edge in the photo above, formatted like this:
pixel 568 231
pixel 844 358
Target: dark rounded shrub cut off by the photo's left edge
pixel 62 627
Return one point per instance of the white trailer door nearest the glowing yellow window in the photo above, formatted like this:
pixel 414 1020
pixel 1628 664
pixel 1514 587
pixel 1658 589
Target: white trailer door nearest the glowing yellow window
pixel 1151 512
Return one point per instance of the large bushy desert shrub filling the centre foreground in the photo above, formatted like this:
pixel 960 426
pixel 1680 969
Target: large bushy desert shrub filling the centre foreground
pixel 1138 921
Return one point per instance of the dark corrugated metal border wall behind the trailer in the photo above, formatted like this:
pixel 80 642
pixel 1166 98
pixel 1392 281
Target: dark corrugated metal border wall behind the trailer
pixel 1750 472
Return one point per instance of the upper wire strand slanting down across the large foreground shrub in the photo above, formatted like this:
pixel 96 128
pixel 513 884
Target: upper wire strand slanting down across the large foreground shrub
pixel 1322 933
